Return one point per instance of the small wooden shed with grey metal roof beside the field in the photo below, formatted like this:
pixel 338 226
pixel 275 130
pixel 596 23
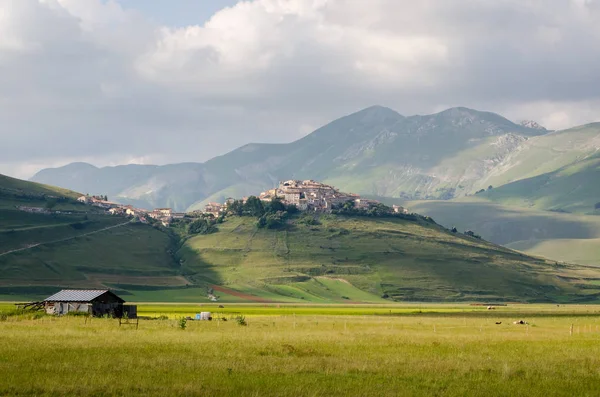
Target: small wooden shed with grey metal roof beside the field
pixel 94 302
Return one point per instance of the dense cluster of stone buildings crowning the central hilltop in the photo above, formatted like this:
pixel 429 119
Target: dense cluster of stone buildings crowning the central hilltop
pixel 307 195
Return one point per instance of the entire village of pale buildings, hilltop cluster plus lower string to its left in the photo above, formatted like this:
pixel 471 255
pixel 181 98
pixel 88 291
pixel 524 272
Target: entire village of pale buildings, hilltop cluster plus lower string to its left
pixel 307 196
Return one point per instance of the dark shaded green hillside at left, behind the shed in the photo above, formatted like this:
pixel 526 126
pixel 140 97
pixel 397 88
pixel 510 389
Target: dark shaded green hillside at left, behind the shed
pixel 68 244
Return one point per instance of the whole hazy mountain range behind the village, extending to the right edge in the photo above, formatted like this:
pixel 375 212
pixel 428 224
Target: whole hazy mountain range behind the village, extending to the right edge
pixel 374 152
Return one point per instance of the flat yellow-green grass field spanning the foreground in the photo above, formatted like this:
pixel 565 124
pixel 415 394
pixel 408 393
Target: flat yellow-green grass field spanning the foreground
pixel 379 350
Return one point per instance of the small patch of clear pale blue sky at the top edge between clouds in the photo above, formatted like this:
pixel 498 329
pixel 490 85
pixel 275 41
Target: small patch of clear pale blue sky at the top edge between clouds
pixel 178 12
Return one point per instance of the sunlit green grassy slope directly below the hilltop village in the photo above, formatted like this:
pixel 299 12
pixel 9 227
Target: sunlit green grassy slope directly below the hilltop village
pixel 363 259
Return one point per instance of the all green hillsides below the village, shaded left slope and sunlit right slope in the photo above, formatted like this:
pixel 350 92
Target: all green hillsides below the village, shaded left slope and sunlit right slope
pixel 314 258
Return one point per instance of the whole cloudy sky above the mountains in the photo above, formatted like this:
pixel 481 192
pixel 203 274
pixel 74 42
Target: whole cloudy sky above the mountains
pixel 163 81
